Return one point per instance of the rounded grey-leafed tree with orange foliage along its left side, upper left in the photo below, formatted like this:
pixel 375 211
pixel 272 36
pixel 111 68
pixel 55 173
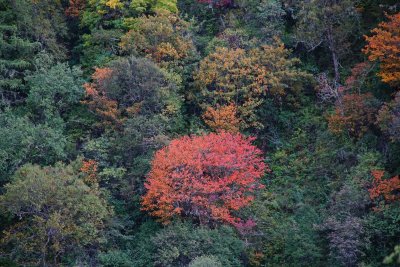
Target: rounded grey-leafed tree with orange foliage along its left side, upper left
pixel 128 88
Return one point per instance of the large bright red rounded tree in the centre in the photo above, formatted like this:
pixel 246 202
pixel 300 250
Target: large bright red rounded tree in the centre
pixel 205 177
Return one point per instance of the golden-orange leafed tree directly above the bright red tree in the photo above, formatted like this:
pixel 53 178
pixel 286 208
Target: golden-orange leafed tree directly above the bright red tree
pixel 243 77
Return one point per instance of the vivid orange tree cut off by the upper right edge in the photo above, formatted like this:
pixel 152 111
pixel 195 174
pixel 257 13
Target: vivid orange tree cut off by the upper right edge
pixel 384 45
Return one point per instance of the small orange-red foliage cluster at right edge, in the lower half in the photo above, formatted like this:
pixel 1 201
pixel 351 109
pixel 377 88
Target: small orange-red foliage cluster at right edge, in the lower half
pixel 388 188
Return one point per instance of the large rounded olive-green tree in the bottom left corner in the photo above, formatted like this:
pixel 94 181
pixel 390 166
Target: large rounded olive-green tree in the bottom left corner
pixel 55 211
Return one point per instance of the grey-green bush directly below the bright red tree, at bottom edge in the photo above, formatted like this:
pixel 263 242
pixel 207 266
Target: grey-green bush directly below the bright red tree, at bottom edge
pixel 181 243
